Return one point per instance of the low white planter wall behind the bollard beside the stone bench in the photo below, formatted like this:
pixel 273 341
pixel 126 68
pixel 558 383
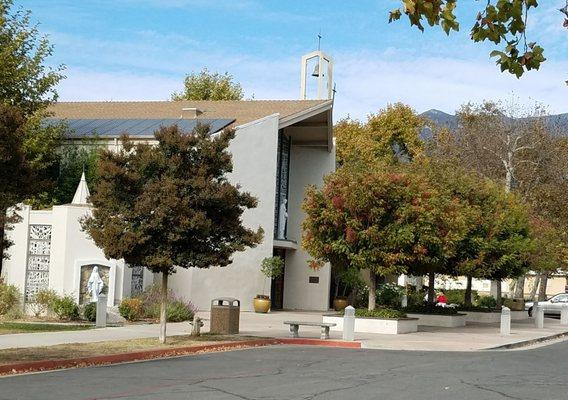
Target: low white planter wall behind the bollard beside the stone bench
pixel 376 325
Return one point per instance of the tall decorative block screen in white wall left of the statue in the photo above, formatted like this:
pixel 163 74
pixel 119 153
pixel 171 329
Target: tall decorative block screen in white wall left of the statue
pixel 37 268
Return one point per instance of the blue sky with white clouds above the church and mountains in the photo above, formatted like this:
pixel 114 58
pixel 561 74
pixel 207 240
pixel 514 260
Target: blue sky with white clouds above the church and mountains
pixel 142 49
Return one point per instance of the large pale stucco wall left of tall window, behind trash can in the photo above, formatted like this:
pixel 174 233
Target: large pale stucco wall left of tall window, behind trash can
pixel 254 151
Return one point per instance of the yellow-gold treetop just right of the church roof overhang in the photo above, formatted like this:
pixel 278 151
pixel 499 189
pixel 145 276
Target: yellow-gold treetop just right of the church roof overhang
pixel 390 135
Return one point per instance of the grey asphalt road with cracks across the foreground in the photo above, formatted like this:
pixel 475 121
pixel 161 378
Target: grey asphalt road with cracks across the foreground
pixel 308 373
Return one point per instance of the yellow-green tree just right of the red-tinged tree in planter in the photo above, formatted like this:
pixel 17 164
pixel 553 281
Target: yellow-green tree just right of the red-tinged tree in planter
pixel 497 240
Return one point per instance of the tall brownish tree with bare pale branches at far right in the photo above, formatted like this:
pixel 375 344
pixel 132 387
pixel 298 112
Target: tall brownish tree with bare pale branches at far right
pixel 515 148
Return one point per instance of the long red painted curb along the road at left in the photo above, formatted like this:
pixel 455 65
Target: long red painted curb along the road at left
pixel 45 365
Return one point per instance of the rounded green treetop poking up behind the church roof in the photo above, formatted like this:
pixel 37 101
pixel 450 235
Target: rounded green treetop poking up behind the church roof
pixel 209 86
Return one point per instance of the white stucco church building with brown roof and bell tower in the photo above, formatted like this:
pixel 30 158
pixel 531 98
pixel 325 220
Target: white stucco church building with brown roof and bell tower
pixel 280 147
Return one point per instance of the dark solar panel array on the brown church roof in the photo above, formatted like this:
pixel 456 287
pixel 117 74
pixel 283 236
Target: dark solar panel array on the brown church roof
pixel 111 128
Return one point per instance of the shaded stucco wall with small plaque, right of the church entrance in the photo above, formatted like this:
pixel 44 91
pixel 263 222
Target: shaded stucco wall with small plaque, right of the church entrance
pixel 308 166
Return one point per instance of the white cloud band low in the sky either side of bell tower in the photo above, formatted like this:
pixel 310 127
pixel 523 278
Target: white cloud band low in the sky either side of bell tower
pixel 365 81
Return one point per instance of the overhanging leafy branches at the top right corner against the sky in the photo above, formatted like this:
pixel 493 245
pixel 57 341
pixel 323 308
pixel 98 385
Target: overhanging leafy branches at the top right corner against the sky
pixel 501 21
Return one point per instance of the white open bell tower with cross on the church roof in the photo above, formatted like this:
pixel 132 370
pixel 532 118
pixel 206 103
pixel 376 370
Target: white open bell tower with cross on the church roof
pixel 323 72
